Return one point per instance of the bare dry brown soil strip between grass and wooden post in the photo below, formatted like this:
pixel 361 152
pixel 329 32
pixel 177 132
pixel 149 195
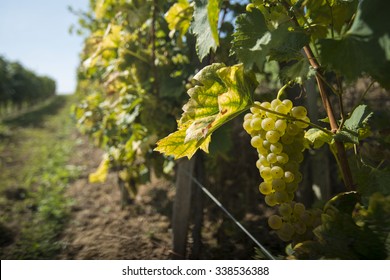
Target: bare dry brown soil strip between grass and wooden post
pixel 100 229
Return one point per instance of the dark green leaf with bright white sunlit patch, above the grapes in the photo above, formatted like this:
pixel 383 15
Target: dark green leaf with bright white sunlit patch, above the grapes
pixel 253 43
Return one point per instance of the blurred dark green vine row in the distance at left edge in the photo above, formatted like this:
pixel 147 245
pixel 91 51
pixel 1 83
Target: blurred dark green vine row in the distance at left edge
pixel 19 85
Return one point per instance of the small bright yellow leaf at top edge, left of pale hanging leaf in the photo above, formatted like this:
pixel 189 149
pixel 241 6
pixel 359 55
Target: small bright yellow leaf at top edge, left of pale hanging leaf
pixel 179 17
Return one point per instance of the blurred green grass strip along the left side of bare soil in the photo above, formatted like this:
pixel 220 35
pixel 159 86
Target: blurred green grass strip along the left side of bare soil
pixel 35 149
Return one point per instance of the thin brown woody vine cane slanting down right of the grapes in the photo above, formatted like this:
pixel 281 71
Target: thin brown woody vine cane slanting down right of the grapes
pixel 341 154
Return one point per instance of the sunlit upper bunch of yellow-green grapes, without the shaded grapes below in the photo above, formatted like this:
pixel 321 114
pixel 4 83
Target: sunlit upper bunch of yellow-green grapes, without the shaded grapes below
pixel 279 143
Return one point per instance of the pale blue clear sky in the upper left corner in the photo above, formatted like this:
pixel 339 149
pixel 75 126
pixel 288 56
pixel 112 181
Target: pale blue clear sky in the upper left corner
pixel 36 34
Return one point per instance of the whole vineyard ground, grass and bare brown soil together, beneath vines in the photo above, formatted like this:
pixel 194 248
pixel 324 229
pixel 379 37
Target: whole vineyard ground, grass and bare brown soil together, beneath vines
pixel 49 210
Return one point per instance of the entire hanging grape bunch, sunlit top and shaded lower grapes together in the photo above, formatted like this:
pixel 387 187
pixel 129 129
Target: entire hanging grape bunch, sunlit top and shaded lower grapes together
pixel 277 132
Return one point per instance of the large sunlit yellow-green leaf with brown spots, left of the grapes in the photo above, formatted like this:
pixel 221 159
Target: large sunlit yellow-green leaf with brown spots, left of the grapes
pixel 220 94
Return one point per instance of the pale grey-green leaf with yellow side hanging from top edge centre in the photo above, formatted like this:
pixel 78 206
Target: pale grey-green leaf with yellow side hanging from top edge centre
pixel 205 26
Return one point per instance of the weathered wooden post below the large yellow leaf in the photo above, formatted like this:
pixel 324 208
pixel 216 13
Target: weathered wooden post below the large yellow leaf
pixel 182 207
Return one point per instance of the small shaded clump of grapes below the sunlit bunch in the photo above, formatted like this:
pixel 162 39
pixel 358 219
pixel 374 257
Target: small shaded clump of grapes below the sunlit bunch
pixel 294 221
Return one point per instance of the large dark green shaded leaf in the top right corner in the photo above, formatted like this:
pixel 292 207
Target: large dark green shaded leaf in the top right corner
pixel 365 48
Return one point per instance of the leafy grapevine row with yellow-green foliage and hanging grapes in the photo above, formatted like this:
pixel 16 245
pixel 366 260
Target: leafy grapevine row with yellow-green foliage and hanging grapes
pixel 140 68
